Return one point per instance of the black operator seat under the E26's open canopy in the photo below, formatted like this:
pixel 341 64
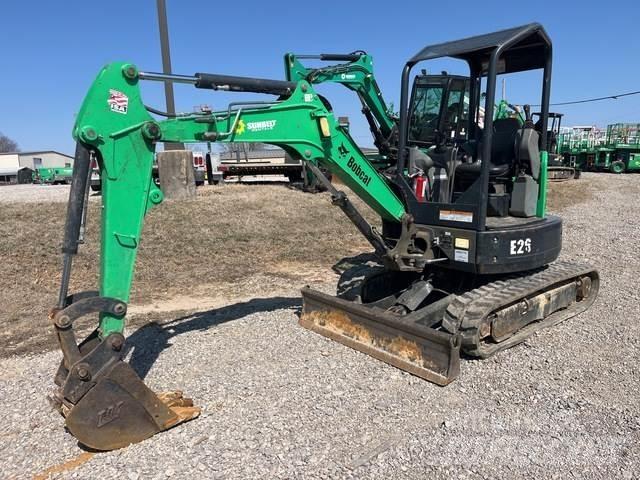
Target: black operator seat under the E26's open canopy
pixel 503 153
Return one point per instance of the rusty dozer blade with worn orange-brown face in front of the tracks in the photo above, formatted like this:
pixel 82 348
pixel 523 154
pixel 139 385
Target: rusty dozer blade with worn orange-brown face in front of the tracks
pixel 401 341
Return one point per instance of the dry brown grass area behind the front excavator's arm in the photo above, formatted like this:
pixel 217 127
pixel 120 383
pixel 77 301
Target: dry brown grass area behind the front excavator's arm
pixel 231 243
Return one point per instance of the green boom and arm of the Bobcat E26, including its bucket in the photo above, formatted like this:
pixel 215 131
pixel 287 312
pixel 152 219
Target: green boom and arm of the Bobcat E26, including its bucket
pixel 105 403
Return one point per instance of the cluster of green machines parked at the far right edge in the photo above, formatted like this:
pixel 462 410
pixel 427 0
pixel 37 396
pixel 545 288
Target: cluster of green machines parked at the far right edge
pixel 615 150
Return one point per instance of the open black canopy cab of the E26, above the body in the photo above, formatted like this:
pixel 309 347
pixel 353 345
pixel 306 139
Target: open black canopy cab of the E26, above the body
pixel 442 126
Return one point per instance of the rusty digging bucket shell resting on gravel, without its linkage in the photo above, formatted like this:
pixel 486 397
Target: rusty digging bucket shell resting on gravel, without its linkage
pixel 120 410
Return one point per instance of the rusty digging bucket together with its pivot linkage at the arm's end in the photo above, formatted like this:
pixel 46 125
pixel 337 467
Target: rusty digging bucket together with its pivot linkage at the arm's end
pixel 105 403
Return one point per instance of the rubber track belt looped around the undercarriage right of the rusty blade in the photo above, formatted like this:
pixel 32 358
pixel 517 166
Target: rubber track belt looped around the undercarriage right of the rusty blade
pixel 468 310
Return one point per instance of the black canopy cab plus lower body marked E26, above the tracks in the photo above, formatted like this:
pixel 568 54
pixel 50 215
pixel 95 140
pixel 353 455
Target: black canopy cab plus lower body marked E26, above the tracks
pixel 466 173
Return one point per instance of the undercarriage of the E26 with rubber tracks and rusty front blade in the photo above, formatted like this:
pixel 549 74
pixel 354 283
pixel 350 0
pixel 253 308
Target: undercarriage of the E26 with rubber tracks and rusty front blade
pixel 424 327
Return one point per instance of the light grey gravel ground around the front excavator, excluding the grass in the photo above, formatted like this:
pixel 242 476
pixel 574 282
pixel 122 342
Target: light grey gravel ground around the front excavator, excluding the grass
pixel 282 402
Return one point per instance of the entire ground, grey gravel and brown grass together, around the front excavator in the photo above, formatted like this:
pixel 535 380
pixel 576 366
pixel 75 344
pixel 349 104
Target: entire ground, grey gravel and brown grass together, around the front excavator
pixel 217 290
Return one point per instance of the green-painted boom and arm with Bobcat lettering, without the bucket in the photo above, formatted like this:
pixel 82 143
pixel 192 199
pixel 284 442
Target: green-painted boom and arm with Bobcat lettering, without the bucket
pixel 114 122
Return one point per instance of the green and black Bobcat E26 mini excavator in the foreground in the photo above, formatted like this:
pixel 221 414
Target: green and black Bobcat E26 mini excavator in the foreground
pixel 464 256
